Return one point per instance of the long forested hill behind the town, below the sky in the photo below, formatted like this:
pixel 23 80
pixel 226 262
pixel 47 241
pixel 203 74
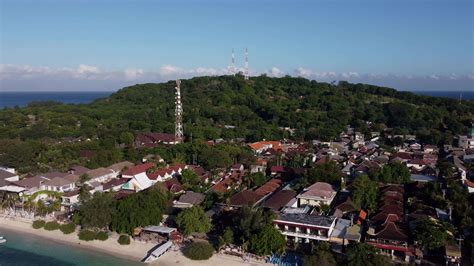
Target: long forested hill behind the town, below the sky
pixel 253 110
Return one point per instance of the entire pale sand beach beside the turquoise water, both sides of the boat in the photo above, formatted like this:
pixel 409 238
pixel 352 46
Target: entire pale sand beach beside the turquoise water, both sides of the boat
pixel 136 251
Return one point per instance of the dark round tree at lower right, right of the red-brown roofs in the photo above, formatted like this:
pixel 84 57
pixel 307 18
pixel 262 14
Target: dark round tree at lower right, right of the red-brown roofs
pixel 431 235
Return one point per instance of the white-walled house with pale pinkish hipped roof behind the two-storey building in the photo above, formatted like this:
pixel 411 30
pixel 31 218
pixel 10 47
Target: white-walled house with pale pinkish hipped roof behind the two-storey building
pixel 317 194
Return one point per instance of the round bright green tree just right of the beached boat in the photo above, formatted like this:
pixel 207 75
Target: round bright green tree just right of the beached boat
pixel 193 220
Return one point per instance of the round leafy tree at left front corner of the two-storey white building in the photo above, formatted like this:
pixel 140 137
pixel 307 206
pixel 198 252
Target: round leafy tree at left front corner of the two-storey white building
pixel 267 241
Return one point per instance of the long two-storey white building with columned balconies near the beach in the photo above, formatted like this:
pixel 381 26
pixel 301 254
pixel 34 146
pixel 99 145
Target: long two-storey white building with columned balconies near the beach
pixel 304 228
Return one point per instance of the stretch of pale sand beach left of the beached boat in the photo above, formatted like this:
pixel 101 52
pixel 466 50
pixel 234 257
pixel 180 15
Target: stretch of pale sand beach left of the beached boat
pixel 135 252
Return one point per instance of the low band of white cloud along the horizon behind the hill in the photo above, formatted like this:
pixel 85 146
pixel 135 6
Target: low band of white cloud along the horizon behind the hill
pixel 30 77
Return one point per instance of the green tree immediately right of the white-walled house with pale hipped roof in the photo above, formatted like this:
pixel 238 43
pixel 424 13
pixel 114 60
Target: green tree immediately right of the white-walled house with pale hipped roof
pixel 364 193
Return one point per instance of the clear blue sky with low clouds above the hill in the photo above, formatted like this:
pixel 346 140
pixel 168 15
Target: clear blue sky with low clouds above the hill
pixel 104 45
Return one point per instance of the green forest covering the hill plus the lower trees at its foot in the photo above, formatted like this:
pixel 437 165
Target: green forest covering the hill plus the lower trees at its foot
pixel 257 109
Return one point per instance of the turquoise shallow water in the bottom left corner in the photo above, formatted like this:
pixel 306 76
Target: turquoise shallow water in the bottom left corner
pixel 24 249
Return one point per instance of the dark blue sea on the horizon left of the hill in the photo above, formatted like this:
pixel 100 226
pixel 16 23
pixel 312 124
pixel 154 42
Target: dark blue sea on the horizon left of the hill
pixel 21 99
